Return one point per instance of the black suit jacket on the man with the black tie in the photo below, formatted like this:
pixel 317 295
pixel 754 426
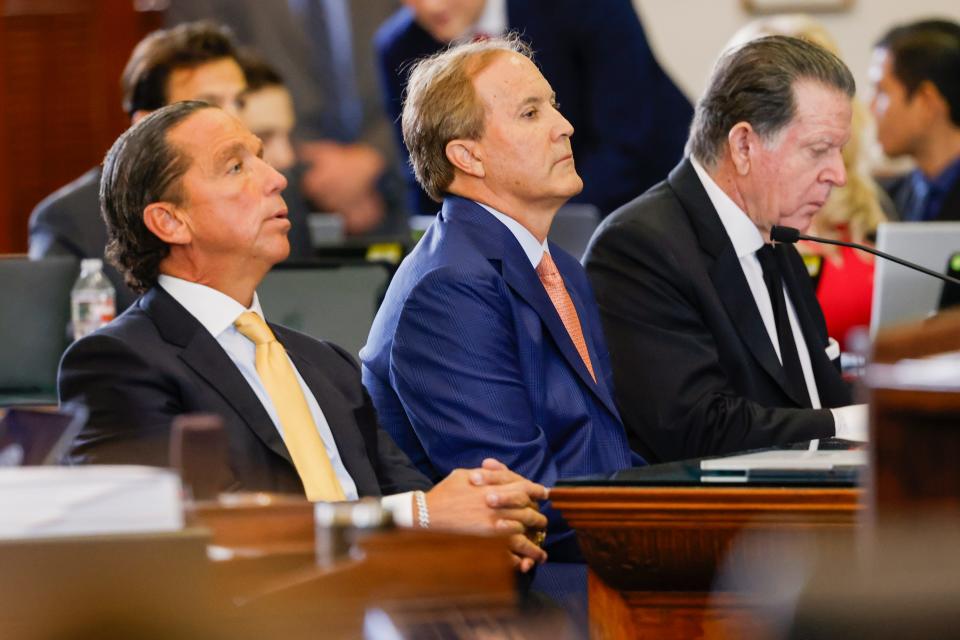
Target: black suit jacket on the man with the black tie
pixel 696 373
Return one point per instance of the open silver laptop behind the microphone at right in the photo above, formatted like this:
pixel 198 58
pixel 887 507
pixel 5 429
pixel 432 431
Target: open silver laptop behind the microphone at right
pixel 901 294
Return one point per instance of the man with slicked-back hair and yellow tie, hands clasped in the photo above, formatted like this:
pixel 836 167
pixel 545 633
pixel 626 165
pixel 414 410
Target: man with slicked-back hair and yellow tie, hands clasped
pixel 195 219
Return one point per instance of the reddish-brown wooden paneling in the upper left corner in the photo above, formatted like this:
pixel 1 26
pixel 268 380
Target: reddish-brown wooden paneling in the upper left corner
pixel 60 64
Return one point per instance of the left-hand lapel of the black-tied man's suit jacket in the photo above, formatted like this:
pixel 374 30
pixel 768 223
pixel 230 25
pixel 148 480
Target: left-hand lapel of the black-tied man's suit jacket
pixel 727 274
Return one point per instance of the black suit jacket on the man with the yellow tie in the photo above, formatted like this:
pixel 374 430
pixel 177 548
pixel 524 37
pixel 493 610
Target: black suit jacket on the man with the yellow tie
pixel 156 361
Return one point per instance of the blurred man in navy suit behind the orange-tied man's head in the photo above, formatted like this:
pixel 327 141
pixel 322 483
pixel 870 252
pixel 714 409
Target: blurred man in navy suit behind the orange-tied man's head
pixel 630 119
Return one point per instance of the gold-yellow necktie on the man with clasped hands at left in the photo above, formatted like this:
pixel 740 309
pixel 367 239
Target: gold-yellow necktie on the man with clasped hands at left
pixel 299 430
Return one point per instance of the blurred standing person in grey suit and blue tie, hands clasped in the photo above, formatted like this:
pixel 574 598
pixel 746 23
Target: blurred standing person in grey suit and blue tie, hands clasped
pixel 323 50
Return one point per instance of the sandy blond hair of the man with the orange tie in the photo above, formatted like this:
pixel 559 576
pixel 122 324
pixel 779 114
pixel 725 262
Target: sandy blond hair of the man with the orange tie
pixel 440 105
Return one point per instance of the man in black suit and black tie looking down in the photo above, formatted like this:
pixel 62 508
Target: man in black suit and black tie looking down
pixel 717 341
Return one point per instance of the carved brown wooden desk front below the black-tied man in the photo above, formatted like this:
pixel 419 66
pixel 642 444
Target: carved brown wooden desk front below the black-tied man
pixel 654 551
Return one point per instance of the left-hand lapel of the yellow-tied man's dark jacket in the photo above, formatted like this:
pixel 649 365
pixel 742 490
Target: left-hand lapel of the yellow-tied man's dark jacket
pixel 201 352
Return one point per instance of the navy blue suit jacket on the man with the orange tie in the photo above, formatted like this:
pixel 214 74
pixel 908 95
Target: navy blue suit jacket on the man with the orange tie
pixel 468 358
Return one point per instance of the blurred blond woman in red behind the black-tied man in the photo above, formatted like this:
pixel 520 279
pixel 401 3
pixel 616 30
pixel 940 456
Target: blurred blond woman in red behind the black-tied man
pixel 843 276
